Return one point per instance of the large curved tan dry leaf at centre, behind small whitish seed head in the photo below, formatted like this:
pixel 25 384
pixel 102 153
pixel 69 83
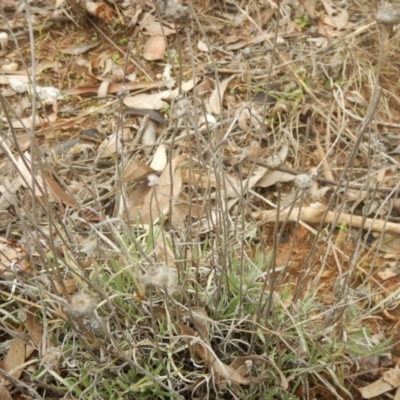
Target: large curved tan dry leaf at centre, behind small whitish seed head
pixel 158 200
